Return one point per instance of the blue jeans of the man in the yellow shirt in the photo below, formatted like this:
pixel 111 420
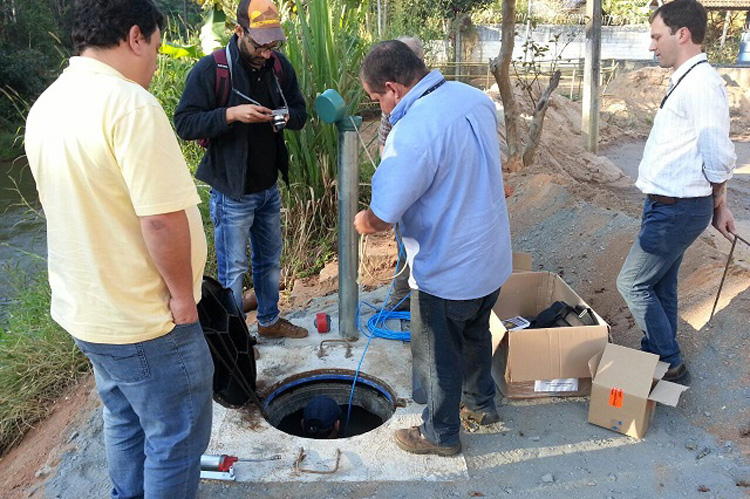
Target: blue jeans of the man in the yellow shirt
pixel 157 411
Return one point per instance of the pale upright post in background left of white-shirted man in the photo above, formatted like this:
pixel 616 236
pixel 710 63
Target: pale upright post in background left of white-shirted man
pixel 591 72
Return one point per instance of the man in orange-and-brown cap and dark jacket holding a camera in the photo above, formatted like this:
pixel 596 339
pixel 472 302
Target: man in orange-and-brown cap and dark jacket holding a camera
pixel 243 118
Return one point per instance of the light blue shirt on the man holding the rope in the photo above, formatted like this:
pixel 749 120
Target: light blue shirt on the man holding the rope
pixel 440 178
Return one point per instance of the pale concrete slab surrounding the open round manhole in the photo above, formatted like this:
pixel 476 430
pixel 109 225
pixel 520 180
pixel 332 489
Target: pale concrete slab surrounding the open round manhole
pixel 246 434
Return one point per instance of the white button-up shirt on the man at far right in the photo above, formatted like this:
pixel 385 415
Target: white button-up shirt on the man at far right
pixel 688 148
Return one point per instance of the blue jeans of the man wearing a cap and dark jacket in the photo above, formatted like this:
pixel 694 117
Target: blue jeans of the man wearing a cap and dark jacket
pixel 257 217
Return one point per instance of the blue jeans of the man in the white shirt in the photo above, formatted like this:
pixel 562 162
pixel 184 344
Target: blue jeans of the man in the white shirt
pixel 648 279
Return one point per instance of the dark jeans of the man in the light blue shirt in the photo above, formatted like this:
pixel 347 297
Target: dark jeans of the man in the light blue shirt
pixel 451 349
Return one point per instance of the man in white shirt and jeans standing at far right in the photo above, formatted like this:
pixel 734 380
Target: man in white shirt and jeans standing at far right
pixel 686 163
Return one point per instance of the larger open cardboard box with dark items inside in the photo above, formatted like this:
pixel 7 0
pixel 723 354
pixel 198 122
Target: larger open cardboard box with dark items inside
pixel 529 363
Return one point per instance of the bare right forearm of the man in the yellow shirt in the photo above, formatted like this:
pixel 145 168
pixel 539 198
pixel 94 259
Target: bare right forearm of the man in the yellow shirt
pixel 167 238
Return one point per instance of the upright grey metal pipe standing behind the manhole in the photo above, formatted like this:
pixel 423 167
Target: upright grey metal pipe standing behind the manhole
pixel 348 195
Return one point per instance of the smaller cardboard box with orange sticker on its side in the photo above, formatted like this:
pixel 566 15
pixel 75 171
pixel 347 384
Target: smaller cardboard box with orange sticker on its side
pixel 627 385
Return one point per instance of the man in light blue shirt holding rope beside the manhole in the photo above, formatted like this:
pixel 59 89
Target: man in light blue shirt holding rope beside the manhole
pixel 440 179
